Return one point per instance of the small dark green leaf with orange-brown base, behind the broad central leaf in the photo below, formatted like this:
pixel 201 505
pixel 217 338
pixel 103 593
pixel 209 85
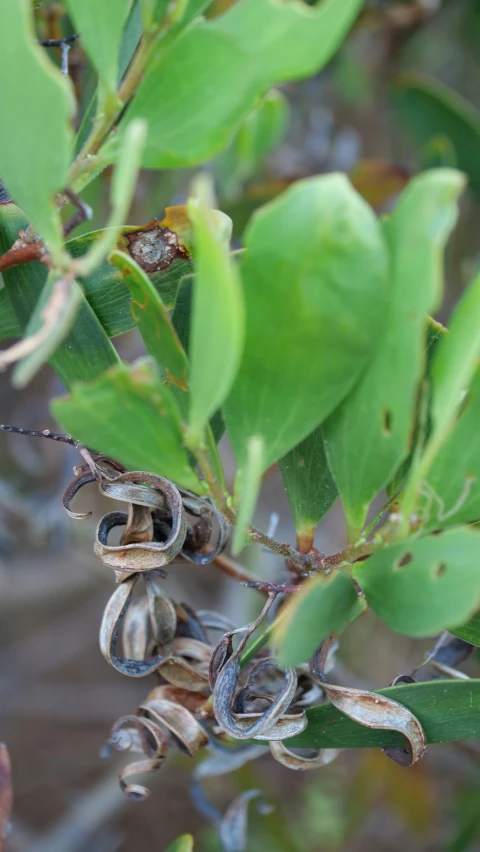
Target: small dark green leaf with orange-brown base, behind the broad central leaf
pixel 310 486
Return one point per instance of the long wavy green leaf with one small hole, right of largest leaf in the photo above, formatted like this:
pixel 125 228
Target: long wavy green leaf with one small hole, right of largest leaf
pixel 370 434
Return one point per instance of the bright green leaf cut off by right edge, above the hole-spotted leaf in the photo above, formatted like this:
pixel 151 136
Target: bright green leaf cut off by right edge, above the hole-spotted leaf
pixel 456 360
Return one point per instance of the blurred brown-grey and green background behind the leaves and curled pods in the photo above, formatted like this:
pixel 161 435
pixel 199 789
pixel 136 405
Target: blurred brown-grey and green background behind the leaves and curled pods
pixel 402 95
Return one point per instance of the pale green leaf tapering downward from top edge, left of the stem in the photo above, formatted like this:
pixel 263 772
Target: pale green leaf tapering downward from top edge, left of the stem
pixel 101 27
